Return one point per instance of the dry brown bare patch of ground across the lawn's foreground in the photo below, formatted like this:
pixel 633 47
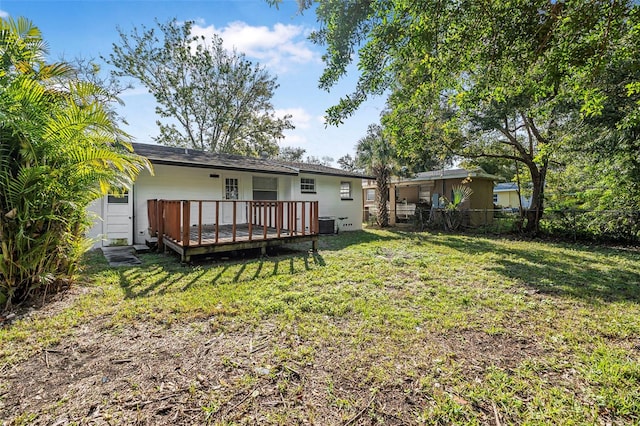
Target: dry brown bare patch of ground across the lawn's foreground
pixel 194 373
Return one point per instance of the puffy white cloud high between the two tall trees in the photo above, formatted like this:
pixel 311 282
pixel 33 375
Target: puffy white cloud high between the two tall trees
pixel 278 47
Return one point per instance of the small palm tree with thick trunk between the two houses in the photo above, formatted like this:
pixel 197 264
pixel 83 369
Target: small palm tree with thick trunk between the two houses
pixel 376 155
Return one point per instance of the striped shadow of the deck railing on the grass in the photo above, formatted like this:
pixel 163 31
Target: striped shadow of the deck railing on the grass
pixel 156 276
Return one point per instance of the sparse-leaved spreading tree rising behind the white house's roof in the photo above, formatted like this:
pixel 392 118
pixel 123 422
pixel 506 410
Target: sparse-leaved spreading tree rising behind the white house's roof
pixel 211 99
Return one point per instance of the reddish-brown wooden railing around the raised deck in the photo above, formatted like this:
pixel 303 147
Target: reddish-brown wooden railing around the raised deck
pixel 187 221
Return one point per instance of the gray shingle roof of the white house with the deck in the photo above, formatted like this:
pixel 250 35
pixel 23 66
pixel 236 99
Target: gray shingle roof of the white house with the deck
pixel 159 154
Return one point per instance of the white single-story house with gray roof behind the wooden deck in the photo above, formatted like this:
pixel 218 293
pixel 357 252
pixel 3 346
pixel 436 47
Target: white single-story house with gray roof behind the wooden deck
pixel 186 174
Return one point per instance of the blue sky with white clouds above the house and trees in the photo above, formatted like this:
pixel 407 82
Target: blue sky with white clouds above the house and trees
pixel 274 38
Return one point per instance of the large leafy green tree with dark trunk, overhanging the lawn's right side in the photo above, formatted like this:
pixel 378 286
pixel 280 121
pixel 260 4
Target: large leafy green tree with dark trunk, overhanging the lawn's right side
pixel 495 79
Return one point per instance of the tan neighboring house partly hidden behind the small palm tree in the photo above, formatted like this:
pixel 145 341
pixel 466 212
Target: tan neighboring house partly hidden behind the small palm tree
pixel 427 188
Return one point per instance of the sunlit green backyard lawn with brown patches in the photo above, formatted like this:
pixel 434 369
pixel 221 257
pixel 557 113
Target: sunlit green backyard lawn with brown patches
pixel 378 327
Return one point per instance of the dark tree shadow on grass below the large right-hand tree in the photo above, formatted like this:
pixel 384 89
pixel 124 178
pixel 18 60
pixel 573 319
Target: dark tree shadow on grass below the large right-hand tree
pixel 595 274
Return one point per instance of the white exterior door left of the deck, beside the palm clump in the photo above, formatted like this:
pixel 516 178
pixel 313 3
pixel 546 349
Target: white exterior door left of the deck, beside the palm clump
pixel 118 219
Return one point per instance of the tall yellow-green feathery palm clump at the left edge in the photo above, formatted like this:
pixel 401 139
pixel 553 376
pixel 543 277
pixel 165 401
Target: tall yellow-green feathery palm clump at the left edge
pixel 59 151
